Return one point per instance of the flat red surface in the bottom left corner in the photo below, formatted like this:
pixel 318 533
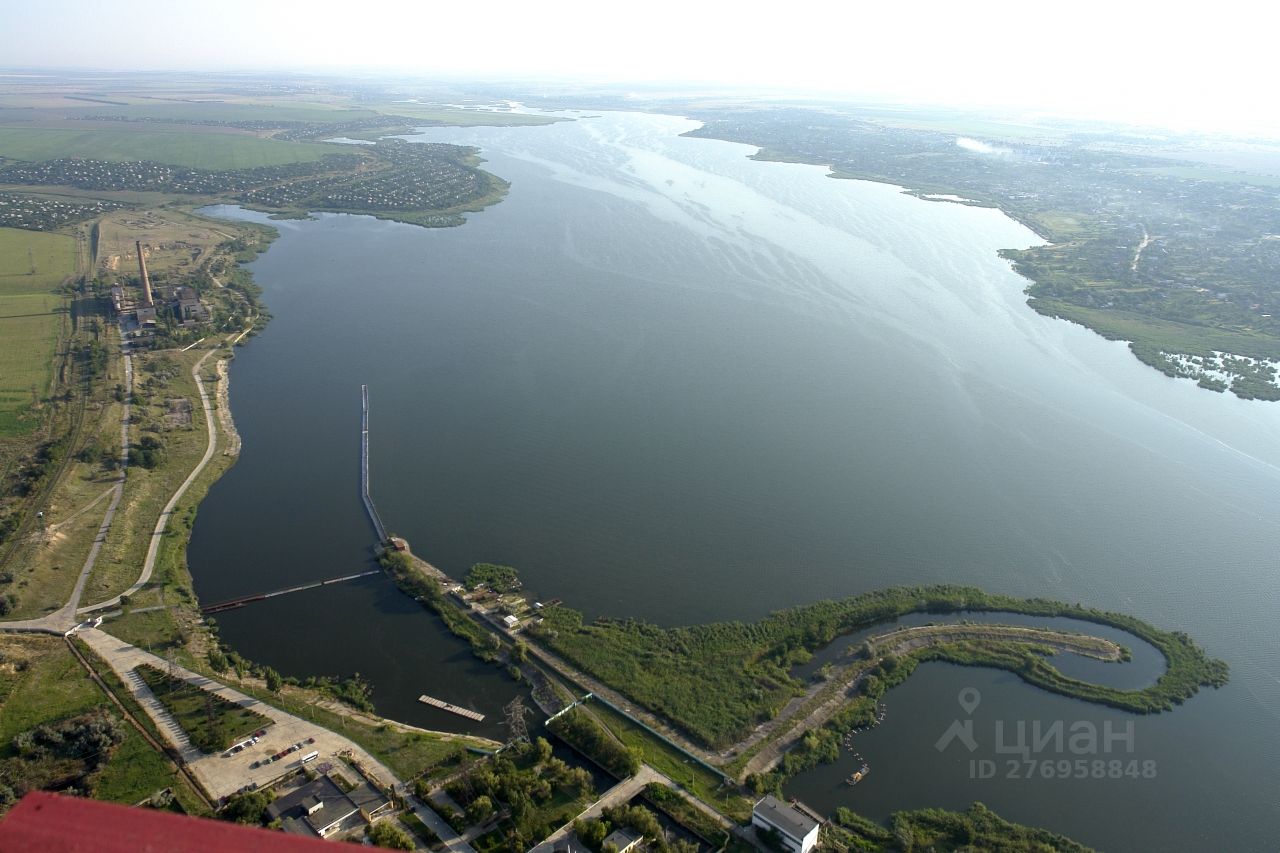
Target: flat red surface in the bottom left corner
pixel 52 824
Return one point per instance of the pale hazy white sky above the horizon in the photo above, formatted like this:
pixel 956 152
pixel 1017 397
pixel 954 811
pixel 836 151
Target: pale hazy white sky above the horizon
pixel 1185 65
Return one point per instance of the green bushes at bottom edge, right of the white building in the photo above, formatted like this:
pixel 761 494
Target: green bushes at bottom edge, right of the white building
pixel 938 831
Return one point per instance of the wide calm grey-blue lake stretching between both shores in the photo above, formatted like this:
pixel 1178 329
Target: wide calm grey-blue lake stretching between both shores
pixel 670 382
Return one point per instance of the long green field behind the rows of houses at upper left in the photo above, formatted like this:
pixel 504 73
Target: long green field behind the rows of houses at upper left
pixel 202 150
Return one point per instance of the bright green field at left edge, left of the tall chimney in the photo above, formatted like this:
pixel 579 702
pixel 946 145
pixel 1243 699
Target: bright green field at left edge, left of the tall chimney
pixel 33 264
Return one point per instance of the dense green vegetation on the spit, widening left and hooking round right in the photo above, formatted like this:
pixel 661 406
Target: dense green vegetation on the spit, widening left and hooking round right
pixel 720 681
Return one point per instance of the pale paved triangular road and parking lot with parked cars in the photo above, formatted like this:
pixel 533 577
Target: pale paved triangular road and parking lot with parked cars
pixel 220 774
